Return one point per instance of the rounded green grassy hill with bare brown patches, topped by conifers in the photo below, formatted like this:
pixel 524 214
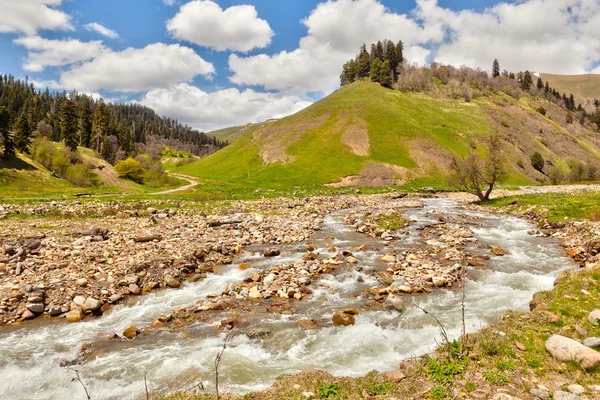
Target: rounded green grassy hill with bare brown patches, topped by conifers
pixel 364 134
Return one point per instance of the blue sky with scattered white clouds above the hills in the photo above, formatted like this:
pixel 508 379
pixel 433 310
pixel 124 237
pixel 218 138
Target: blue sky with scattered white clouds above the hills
pixel 219 63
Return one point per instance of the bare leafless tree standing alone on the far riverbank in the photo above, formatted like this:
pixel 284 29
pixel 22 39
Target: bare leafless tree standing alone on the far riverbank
pixel 478 175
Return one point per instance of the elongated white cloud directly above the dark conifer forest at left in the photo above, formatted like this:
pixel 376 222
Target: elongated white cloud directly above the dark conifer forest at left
pixel 135 70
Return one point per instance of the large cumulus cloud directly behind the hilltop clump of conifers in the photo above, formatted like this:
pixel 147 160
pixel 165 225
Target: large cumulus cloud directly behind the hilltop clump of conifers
pixel 336 29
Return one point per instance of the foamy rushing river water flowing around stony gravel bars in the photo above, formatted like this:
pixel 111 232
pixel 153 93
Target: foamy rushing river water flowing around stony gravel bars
pixel 31 357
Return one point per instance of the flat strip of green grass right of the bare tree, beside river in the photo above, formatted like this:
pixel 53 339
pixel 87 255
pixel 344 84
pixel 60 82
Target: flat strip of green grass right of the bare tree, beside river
pixel 556 207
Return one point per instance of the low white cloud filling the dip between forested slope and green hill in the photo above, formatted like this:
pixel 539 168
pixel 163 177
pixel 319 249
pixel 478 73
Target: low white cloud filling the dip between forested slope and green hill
pixel 228 107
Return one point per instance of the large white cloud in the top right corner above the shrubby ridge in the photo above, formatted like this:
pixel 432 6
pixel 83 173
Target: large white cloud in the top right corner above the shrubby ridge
pixel 555 36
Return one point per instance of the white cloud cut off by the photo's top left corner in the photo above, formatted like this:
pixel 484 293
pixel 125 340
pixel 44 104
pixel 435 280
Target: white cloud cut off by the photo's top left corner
pixel 29 16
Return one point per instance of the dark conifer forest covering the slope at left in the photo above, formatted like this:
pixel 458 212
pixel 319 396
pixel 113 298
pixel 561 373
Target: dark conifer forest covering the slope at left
pixel 112 130
